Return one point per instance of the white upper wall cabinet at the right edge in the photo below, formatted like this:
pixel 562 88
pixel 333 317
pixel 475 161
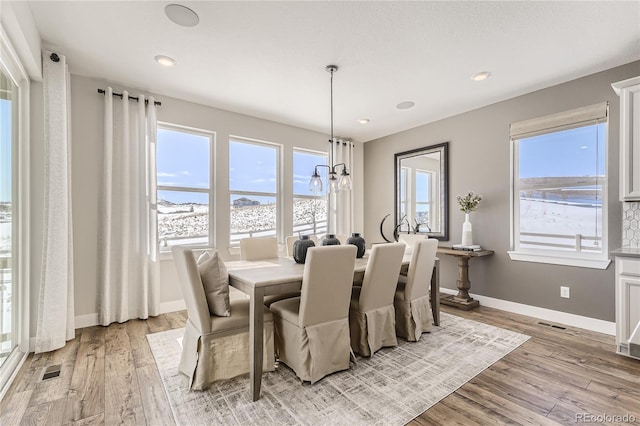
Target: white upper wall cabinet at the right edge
pixel 629 92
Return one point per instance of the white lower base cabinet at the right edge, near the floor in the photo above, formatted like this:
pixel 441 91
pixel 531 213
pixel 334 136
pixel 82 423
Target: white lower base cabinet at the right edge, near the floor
pixel 628 306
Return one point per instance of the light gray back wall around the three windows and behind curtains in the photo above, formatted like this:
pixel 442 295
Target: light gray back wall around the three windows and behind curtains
pixel 87 124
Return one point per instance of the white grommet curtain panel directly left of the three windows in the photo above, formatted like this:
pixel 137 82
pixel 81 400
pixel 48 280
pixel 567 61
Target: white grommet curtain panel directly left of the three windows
pixel 127 246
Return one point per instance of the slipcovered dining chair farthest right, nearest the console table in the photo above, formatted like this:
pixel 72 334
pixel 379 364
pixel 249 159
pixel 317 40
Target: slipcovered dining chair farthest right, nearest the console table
pixel 411 301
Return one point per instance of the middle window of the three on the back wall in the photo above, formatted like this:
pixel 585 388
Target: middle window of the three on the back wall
pixel 253 187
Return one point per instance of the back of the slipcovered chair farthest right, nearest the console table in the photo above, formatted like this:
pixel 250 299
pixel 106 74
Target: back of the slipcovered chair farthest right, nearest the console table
pixel 421 269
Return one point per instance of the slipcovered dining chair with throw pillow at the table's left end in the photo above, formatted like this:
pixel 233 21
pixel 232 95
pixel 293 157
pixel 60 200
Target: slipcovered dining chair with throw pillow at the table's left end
pixel 215 347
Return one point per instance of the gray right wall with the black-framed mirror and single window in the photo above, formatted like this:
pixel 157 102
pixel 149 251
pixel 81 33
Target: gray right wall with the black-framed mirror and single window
pixel 479 161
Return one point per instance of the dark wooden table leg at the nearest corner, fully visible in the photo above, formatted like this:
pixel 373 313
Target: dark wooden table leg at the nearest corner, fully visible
pixel 256 343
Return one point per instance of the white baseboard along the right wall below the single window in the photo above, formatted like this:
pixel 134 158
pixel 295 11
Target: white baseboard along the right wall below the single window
pixel 572 320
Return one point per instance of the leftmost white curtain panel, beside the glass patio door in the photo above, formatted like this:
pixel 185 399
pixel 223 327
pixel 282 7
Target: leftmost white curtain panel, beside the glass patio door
pixel 55 323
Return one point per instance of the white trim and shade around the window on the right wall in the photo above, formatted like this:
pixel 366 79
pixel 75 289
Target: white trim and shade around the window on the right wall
pixel 583 260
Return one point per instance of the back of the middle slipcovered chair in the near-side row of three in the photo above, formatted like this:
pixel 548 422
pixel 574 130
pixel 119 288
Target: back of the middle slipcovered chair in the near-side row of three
pixel 381 276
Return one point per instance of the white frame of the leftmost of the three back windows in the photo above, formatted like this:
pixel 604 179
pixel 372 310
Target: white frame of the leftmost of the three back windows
pixel 210 191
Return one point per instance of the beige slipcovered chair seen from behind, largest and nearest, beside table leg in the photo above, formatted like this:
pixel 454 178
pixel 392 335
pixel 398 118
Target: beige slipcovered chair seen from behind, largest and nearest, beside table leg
pixel 312 331
